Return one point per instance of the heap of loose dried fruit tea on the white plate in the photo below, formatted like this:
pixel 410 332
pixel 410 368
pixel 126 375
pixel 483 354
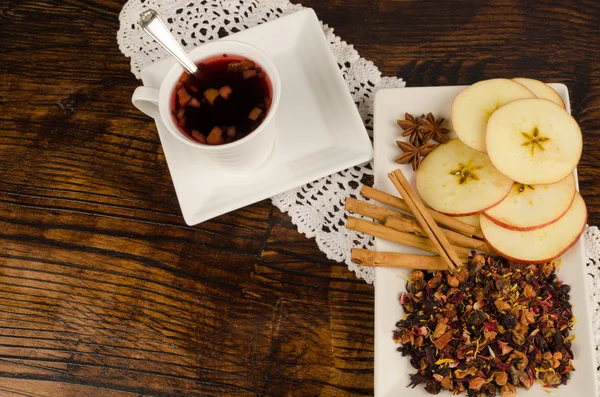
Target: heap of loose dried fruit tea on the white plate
pixel 489 329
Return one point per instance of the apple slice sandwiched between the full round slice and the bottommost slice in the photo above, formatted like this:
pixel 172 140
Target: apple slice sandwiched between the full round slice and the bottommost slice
pixel 529 207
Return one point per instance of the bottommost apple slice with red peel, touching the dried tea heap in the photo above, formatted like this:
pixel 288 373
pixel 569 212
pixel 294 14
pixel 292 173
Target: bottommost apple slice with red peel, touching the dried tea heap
pixel 539 245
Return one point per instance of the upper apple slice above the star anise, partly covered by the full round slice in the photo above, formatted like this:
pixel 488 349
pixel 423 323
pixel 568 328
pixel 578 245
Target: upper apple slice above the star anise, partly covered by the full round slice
pixel 473 106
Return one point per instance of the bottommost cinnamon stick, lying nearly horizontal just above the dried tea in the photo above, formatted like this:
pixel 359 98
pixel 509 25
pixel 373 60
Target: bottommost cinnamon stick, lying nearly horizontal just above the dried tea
pixel 370 258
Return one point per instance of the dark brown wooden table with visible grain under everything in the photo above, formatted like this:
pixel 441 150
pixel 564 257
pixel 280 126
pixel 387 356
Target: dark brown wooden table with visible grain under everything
pixel 104 291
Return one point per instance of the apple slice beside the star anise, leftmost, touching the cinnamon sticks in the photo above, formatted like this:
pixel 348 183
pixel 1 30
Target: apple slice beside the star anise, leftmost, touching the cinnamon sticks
pixel 457 180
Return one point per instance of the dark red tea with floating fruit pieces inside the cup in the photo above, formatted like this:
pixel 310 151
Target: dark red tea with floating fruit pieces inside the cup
pixel 227 99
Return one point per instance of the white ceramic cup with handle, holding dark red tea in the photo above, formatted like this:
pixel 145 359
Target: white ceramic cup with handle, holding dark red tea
pixel 238 156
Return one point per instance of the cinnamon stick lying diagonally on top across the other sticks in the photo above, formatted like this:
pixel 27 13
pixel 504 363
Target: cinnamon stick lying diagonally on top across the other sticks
pixel 425 220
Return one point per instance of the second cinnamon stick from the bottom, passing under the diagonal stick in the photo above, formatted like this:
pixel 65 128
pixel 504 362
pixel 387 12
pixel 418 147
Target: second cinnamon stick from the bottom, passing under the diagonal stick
pixel 389 234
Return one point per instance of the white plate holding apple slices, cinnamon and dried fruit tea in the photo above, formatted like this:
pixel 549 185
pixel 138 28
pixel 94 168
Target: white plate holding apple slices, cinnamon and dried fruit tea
pixel 391 369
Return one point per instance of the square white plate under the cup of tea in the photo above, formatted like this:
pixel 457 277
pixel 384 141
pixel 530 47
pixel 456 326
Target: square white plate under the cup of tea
pixel 319 129
